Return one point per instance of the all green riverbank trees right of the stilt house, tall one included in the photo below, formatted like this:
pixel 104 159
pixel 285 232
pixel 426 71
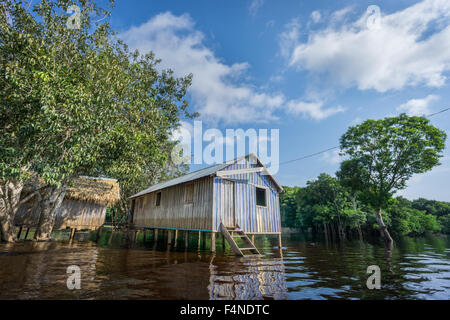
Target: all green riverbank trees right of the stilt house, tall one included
pixel 380 157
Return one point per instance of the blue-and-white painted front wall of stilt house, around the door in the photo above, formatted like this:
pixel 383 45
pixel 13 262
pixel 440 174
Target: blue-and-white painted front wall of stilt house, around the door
pixel 249 217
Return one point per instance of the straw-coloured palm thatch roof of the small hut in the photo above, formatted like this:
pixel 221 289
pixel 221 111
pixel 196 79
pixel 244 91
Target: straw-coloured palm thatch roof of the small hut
pixel 102 191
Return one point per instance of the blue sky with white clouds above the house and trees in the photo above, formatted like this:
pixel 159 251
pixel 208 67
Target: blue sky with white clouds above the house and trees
pixel 310 69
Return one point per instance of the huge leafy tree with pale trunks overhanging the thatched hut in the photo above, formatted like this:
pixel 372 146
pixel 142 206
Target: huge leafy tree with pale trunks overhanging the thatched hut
pixel 85 103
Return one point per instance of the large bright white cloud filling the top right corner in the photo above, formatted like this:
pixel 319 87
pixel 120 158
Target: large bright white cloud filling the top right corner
pixel 409 47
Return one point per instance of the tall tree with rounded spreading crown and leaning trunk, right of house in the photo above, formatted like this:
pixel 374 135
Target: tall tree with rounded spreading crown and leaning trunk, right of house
pixel 384 154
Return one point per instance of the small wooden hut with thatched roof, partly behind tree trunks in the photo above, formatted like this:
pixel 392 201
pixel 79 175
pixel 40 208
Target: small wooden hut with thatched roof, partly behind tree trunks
pixel 84 205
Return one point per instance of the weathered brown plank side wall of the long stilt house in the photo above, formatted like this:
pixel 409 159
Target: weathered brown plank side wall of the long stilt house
pixel 174 212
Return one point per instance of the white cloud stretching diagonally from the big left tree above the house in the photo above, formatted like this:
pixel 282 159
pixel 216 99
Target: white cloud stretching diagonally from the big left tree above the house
pixel 217 89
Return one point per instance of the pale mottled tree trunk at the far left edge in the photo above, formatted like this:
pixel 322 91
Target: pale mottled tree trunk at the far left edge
pixel 10 192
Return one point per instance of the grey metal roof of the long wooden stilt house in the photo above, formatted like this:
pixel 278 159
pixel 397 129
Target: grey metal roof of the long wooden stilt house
pixel 197 175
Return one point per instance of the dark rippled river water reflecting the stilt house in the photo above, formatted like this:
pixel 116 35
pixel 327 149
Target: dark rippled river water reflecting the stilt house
pixel 418 268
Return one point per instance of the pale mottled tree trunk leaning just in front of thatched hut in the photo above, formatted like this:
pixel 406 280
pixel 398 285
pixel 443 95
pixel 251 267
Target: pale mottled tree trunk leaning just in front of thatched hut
pixel 49 204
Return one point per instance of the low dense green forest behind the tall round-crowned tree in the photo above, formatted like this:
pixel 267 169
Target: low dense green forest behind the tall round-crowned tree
pixel 324 206
